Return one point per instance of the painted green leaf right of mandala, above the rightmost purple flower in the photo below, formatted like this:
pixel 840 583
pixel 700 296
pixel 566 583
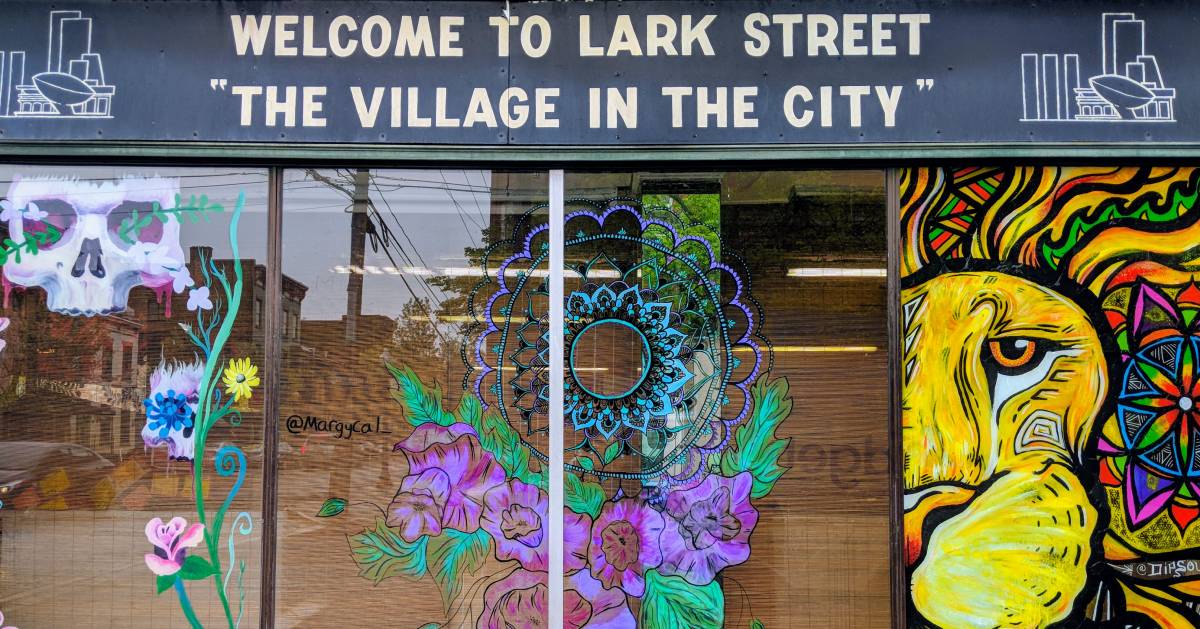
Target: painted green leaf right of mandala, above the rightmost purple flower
pixel 755 447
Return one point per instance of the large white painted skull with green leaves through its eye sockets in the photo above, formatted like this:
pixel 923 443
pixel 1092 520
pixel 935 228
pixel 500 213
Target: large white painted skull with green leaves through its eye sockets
pixel 91 269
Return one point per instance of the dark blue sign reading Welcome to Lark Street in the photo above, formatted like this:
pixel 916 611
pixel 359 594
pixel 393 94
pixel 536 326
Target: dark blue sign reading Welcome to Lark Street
pixel 599 74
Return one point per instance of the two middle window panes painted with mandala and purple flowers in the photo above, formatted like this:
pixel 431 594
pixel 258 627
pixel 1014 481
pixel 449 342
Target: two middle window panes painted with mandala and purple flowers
pixel 700 311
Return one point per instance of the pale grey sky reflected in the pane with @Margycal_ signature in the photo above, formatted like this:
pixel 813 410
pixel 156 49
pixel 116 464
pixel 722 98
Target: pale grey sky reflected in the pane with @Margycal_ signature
pixel 424 224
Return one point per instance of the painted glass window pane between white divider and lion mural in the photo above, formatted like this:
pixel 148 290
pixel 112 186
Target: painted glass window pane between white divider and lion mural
pixel 727 412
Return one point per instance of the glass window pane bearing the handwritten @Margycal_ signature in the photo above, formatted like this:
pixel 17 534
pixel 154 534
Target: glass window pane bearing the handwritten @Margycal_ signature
pixel 411 452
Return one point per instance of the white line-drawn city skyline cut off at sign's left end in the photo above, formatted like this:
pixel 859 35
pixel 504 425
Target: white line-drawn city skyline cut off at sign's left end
pixel 74 83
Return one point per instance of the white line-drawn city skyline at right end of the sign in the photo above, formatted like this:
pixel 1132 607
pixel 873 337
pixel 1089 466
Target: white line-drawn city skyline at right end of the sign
pixel 1130 87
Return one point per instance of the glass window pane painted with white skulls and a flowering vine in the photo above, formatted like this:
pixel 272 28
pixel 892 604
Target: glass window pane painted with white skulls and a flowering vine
pixel 129 396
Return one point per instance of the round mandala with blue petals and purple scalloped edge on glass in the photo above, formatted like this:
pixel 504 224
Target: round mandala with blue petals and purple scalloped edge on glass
pixel 645 271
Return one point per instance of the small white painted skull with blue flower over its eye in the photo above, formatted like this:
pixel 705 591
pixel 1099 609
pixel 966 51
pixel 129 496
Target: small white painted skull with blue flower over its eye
pixel 171 409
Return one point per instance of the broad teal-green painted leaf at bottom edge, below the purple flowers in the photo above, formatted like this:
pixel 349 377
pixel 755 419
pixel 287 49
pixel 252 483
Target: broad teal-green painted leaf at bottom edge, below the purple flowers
pixel 670 602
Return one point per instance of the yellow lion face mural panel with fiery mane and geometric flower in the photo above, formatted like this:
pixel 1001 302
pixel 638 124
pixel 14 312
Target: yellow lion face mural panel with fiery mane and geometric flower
pixel 1052 397
